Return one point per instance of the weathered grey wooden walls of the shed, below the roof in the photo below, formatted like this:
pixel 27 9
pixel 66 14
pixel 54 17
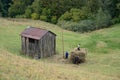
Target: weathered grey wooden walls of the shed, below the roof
pixel 44 47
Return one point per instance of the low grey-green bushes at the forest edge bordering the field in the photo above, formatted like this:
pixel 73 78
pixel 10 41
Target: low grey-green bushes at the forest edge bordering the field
pixel 82 26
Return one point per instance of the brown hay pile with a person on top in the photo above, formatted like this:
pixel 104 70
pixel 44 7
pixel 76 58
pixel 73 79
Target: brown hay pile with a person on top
pixel 77 56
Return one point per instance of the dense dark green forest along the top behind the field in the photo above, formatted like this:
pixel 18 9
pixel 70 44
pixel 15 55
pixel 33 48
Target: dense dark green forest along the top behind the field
pixel 74 15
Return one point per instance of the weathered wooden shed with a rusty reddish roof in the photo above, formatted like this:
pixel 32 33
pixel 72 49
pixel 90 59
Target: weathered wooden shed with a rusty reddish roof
pixel 38 43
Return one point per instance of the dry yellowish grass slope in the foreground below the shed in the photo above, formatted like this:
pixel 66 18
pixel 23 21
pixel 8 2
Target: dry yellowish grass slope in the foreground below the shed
pixel 13 67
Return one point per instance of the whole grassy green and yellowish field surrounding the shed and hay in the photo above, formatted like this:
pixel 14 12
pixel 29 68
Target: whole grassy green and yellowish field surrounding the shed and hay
pixel 103 58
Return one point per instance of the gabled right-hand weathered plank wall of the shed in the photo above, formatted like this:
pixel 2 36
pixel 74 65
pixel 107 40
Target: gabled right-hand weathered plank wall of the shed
pixel 47 45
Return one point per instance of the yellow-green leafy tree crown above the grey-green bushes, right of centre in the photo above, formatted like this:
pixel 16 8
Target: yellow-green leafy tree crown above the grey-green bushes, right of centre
pixel 76 15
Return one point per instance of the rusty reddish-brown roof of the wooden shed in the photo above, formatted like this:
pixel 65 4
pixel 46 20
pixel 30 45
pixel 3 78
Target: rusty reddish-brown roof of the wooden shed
pixel 35 33
